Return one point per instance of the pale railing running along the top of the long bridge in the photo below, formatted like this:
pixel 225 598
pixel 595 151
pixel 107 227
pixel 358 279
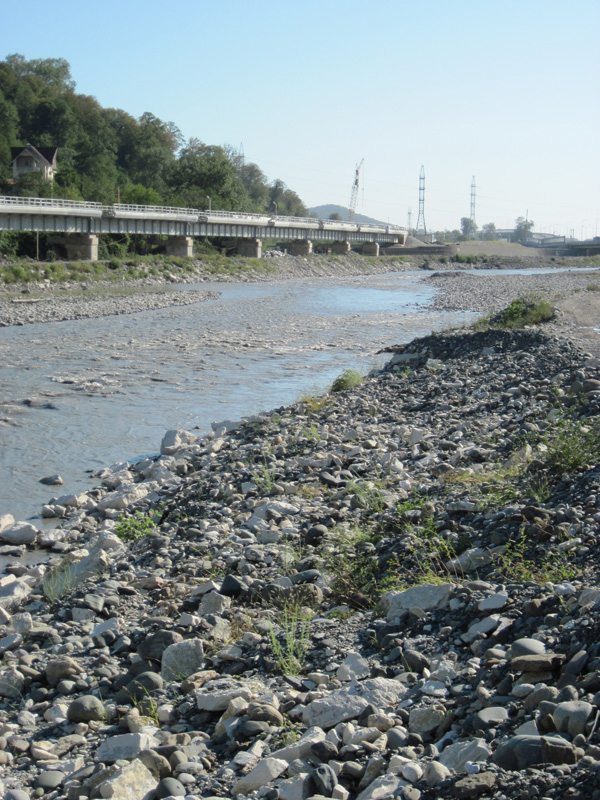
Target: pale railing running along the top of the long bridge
pixel 206 216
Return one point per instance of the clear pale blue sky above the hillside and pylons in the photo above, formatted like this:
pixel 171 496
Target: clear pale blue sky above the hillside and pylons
pixel 503 90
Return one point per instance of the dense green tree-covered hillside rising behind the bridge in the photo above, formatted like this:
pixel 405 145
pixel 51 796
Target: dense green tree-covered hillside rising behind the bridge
pixel 107 155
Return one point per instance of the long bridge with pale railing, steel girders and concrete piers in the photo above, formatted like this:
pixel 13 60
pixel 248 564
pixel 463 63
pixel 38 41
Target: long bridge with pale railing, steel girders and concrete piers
pixel 82 222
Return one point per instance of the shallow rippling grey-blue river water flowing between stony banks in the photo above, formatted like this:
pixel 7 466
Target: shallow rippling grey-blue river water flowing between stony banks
pixel 81 395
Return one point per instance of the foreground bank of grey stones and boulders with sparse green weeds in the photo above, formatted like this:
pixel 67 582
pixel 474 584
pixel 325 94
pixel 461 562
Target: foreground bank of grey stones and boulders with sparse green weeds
pixel 387 591
